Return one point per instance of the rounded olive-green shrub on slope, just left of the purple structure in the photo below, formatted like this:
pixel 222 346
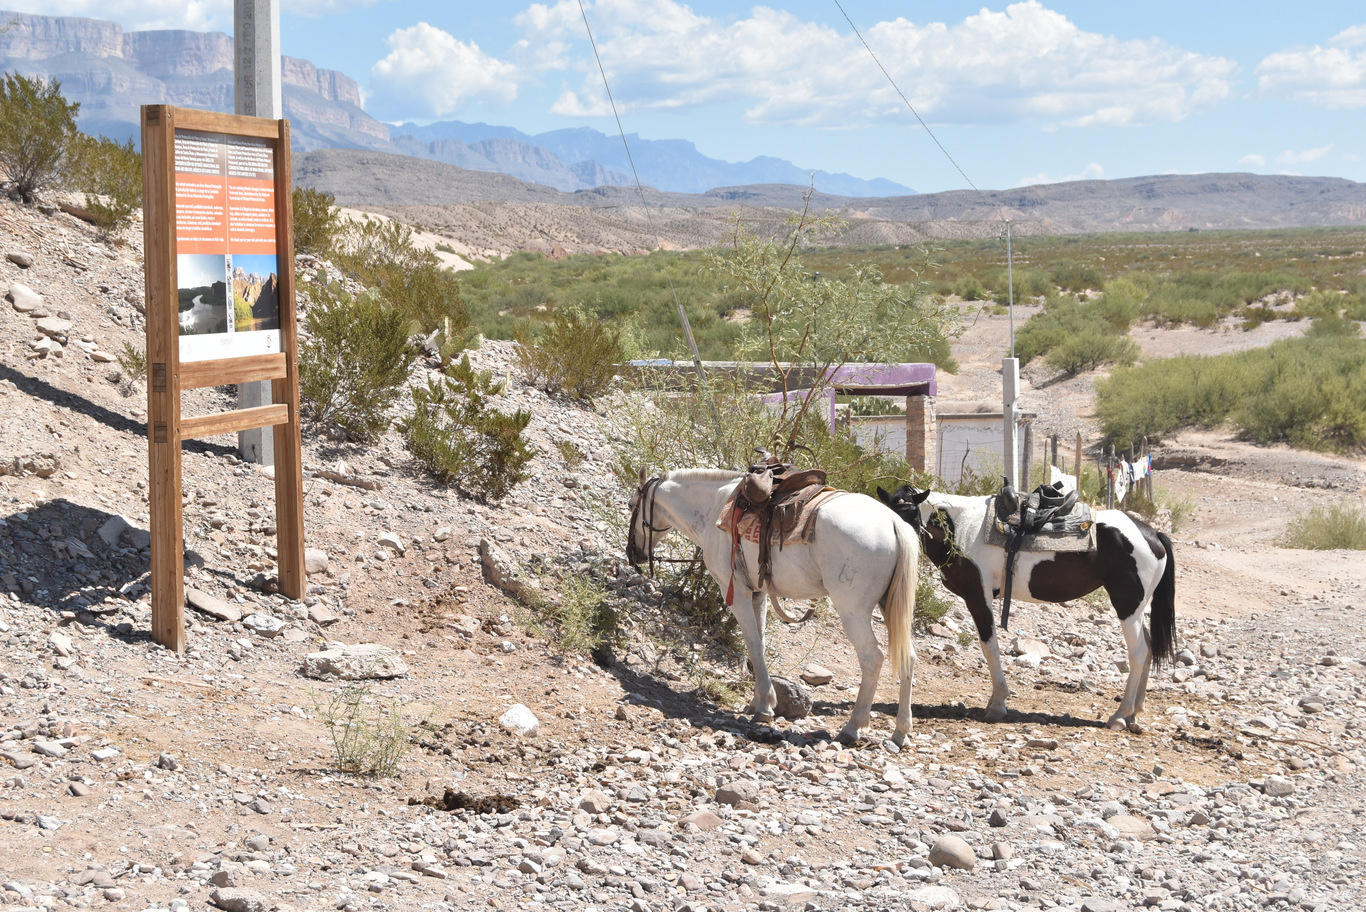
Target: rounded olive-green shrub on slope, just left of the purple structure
pixel 574 356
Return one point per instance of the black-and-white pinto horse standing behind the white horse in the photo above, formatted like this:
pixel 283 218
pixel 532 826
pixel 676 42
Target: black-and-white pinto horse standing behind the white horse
pixel 1132 560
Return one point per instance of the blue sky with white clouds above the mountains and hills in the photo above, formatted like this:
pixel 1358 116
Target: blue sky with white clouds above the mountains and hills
pixel 1020 94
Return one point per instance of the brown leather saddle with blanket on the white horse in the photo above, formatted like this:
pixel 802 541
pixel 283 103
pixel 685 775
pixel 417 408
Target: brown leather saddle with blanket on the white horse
pixel 775 503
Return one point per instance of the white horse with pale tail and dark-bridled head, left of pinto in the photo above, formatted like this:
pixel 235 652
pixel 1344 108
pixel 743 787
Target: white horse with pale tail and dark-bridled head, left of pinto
pixel 861 556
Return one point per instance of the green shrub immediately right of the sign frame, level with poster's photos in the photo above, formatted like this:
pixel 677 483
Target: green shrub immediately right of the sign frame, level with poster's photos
pixel 354 364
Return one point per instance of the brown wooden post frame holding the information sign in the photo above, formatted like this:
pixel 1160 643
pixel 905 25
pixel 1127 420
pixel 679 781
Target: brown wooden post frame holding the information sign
pixel 167 376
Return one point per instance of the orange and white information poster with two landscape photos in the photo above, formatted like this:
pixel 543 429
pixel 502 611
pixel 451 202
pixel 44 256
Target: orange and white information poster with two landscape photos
pixel 226 246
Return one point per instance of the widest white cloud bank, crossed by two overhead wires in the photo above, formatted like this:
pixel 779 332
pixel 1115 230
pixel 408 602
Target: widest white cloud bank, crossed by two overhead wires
pixel 1027 63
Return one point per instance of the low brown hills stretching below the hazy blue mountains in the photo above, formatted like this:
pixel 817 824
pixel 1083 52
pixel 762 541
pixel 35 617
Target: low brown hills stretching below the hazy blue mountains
pixel 498 214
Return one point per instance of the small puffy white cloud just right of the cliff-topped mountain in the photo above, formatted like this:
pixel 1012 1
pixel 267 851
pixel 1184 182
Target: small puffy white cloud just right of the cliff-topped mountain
pixel 434 70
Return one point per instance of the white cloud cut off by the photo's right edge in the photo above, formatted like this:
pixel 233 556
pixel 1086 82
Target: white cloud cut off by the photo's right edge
pixel 1326 77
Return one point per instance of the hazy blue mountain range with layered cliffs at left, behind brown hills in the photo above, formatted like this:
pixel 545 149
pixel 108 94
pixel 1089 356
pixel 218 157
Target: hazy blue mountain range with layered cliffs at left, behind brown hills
pixel 113 73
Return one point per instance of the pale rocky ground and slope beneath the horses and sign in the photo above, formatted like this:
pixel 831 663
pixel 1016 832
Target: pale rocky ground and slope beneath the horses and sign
pixel 135 779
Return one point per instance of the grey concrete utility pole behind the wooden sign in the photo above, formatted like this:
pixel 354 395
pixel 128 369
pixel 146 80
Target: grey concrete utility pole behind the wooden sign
pixel 257 94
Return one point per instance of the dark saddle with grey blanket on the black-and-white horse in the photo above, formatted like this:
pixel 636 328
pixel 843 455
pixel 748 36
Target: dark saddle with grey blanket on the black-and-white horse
pixel 1048 519
